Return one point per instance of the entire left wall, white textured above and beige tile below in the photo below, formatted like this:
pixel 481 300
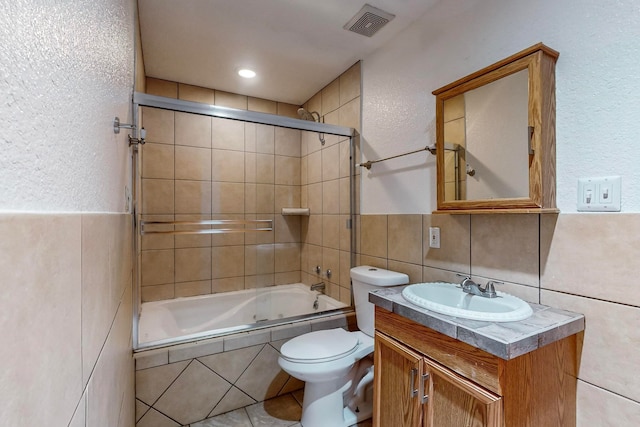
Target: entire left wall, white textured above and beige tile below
pixel 67 71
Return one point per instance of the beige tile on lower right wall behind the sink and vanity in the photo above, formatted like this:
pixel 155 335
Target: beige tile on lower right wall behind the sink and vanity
pixel 581 262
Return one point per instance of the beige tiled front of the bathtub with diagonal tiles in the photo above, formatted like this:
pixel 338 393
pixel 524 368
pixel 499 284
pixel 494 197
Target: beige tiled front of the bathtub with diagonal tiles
pixel 194 381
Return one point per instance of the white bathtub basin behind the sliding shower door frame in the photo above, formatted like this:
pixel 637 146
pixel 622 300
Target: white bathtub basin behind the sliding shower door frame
pixel 184 319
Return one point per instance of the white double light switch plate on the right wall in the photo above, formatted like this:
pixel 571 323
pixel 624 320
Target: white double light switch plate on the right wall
pixel 600 194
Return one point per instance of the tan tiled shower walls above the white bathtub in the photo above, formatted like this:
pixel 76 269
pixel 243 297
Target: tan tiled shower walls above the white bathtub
pixel 262 169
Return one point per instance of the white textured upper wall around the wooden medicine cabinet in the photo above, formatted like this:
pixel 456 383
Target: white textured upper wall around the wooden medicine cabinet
pixel 597 79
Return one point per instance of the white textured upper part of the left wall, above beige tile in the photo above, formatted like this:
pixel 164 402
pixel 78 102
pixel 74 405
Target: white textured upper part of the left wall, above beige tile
pixel 67 71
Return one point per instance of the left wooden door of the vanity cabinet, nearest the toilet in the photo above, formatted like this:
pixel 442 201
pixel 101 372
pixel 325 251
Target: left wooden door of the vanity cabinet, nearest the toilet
pixel 397 376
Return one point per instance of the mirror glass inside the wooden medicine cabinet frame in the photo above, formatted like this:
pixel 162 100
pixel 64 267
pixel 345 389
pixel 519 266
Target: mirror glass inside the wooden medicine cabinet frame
pixel 475 124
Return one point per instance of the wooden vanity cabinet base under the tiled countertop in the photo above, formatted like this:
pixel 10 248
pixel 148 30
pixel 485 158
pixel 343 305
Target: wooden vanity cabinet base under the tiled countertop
pixel 423 378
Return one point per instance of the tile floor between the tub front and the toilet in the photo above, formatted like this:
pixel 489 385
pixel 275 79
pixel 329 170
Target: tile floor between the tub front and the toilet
pixel 282 411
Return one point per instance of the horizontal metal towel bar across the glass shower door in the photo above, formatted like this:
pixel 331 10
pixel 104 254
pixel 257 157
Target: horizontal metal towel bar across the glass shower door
pixel 194 227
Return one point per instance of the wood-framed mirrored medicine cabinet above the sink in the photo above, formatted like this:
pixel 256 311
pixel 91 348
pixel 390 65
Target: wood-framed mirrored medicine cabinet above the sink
pixel 496 136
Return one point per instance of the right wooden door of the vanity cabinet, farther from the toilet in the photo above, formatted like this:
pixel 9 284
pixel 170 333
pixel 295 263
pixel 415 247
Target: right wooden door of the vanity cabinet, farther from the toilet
pixel 451 400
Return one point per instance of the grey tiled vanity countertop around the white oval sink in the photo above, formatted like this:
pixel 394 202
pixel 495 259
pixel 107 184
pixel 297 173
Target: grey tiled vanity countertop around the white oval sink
pixel 506 340
